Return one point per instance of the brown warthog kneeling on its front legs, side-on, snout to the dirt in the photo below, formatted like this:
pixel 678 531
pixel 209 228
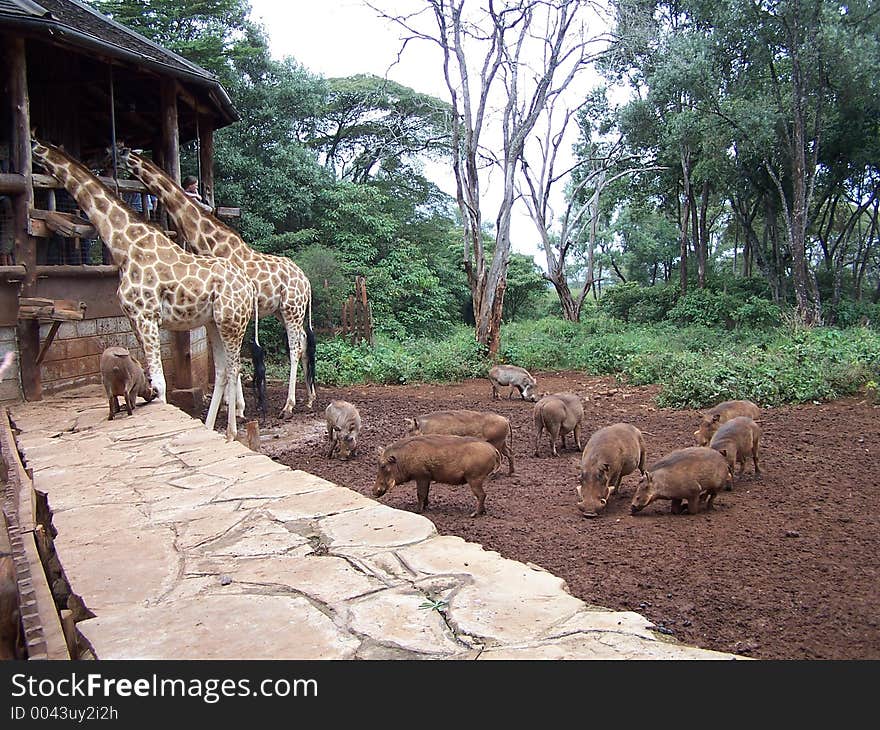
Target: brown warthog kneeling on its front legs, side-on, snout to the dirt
pixel 693 474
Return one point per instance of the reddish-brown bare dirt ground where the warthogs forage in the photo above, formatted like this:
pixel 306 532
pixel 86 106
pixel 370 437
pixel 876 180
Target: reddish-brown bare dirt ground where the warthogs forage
pixel 785 567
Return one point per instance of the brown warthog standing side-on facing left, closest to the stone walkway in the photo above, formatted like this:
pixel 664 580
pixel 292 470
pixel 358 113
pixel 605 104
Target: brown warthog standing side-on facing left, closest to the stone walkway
pixel 438 458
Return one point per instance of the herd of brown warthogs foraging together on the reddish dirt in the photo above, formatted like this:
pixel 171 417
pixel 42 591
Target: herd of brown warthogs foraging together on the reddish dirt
pixel 467 447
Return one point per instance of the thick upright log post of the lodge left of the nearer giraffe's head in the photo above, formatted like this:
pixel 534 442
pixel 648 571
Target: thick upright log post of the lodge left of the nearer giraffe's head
pixel 25 244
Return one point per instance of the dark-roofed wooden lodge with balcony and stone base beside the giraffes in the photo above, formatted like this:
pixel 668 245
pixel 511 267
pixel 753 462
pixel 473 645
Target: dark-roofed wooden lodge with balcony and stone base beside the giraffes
pixel 81 80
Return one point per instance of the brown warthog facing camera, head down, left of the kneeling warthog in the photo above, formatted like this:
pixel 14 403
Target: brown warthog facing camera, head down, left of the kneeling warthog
pixel 610 454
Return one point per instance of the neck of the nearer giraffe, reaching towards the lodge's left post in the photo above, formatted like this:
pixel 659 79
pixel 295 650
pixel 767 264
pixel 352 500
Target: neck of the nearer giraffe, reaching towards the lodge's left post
pixel 105 211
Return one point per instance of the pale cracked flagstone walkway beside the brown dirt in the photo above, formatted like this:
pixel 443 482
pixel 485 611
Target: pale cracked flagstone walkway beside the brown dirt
pixel 185 546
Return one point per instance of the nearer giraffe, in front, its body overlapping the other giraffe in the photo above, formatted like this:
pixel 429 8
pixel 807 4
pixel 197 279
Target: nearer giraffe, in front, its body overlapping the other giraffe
pixel 161 285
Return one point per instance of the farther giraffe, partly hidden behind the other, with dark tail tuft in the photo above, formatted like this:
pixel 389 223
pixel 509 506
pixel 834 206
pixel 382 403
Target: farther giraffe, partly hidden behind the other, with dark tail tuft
pixel 283 288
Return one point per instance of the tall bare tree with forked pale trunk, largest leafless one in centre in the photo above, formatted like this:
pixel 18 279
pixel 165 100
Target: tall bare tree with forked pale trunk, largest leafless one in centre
pixel 502 61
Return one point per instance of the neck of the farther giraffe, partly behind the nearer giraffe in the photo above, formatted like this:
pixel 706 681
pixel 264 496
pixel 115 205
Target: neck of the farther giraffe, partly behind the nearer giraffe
pixel 201 231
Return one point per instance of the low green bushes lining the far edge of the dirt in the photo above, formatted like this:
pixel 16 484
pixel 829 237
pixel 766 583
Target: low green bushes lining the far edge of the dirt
pixel 695 366
